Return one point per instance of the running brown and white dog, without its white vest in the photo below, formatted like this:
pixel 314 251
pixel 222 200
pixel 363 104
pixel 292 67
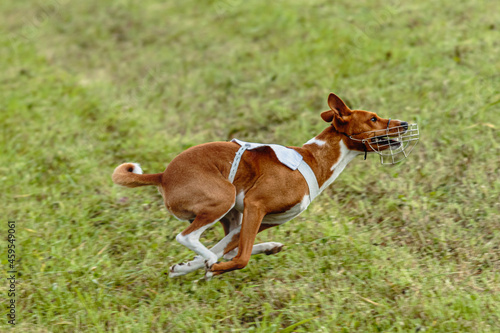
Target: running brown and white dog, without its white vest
pixel 265 193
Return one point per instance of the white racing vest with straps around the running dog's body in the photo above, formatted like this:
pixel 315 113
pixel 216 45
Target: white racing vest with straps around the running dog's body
pixel 287 156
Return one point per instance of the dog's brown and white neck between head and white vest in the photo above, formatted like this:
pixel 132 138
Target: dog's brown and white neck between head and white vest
pixel 328 154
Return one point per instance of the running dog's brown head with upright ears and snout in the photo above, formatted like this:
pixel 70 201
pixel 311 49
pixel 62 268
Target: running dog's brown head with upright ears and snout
pixel 366 130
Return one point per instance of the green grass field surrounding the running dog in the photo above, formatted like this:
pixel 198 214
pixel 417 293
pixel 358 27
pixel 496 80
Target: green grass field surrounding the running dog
pixel 87 85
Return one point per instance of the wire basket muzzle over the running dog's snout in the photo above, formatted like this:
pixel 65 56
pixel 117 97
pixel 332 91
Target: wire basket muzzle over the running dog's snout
pixel 392 144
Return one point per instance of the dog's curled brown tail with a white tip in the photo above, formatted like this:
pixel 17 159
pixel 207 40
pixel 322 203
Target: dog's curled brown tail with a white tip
pixel 130 175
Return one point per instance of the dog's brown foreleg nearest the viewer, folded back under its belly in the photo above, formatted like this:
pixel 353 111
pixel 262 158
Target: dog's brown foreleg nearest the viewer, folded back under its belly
pixel 252 218
